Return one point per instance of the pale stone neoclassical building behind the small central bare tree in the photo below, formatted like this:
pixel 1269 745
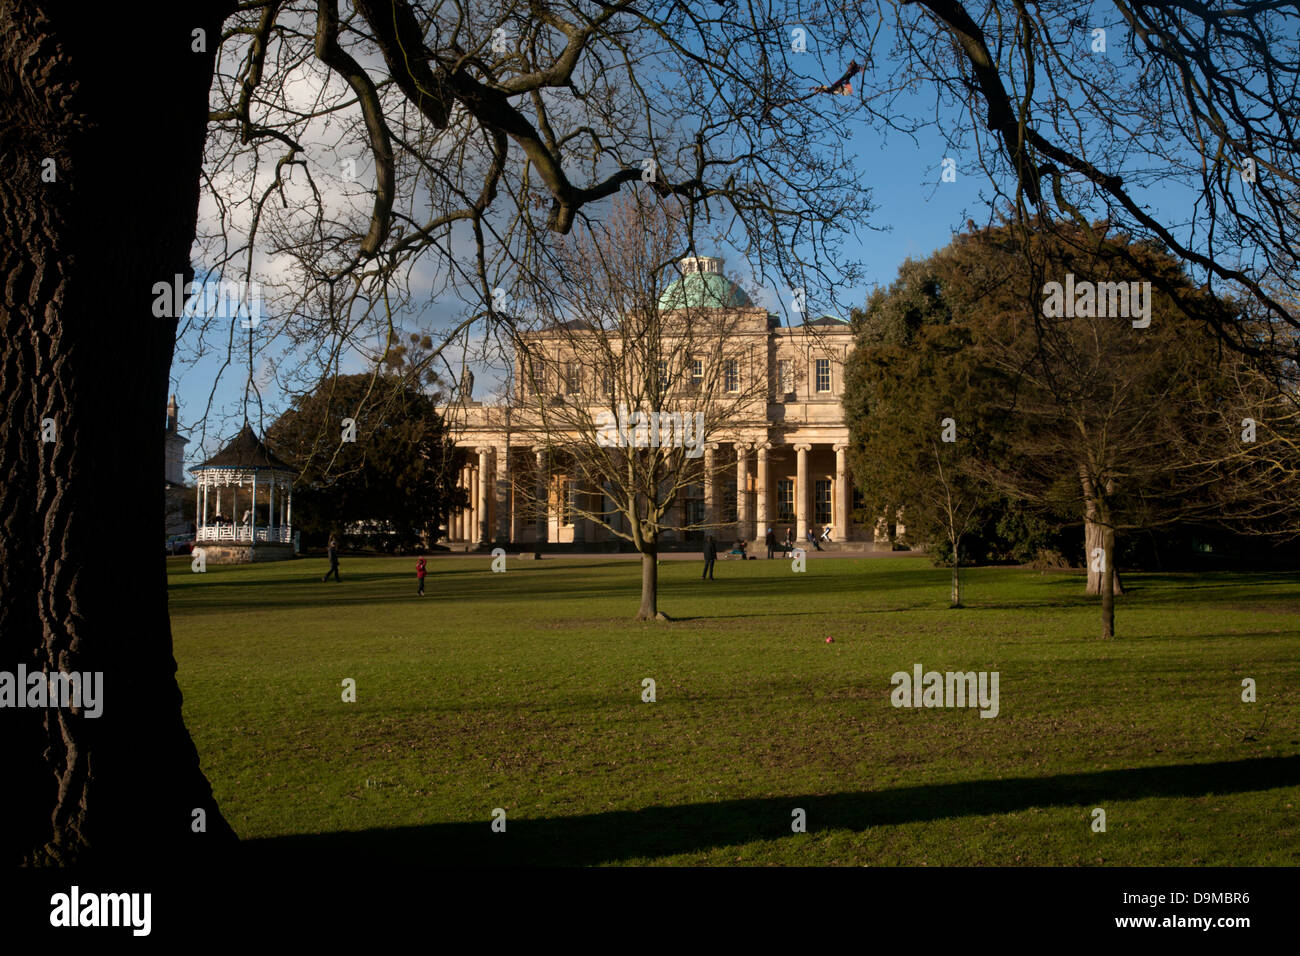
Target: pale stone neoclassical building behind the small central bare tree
pixel 781 465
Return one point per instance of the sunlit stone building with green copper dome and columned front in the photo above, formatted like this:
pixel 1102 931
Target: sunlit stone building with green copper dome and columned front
pixel 777 445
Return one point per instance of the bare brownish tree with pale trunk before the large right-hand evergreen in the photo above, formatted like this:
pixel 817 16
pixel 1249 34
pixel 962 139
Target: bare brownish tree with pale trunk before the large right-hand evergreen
pixel 1119 422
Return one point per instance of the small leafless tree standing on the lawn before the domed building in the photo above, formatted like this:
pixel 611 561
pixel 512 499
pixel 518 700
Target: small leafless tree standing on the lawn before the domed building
pixel 626 383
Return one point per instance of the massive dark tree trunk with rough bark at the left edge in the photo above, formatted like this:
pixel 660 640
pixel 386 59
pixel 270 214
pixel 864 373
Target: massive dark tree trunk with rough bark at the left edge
pixel 119 100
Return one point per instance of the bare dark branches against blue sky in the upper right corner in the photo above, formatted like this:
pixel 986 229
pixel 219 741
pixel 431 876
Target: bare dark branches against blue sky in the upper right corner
pixel 1073 110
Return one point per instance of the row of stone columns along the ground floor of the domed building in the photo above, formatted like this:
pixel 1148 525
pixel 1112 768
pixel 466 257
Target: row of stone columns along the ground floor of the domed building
pixel 798 485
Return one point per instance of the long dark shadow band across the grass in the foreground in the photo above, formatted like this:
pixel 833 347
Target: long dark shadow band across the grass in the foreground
pixel 660 832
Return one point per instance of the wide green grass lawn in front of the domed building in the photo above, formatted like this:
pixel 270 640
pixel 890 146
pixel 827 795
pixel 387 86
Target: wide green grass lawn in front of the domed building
pixel 523 691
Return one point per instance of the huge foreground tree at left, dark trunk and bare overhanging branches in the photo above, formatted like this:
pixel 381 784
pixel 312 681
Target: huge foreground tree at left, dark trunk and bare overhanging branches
pixel 475 133
